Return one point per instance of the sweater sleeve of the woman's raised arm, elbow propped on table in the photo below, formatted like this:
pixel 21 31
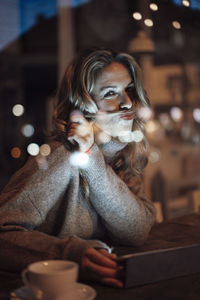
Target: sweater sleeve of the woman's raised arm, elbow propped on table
pixel 123 207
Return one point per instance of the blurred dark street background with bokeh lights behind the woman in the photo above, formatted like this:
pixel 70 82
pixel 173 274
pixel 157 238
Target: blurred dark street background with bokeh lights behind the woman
pixel 38 38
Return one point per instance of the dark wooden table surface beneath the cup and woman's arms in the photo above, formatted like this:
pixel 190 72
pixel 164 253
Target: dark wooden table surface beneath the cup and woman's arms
pixel 178 232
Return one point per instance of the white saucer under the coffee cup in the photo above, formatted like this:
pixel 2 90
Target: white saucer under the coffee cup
pixel 82 292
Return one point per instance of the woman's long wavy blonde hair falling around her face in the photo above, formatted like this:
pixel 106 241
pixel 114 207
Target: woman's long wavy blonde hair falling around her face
pixel 76 90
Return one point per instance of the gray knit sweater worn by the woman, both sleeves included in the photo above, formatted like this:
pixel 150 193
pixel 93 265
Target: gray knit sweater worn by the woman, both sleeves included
pixel 44 215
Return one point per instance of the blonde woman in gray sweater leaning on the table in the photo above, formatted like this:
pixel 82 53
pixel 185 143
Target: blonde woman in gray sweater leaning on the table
pixel 62 211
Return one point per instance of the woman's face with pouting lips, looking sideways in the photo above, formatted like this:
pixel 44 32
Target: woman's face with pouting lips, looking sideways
pixel 112 94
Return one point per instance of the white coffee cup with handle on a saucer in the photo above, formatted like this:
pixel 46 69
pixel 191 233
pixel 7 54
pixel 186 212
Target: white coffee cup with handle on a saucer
pixel 52 279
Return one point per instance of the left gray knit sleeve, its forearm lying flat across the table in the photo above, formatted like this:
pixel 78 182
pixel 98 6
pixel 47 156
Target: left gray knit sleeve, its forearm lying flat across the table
pixel 24 205
